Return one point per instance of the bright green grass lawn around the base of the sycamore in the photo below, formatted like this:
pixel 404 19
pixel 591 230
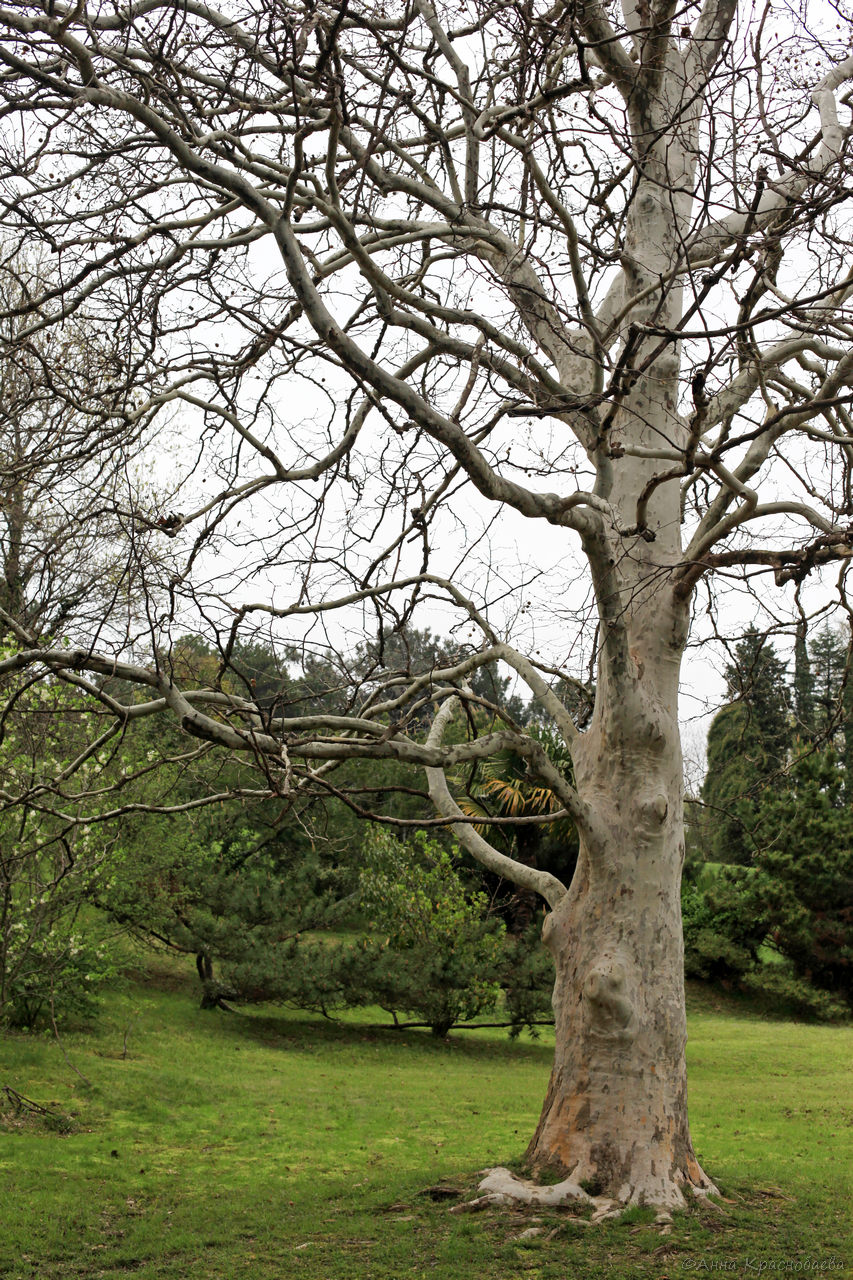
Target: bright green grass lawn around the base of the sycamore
pixel 276 1146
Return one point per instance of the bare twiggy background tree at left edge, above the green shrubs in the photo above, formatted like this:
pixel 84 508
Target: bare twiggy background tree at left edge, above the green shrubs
pixel 71 554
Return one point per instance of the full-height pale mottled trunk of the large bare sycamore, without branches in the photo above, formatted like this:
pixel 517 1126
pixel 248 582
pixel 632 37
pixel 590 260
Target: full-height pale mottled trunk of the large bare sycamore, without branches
pixel 615 1116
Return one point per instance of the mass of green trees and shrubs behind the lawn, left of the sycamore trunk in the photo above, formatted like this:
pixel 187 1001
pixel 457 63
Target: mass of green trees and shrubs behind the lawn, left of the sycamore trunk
pixel 286 903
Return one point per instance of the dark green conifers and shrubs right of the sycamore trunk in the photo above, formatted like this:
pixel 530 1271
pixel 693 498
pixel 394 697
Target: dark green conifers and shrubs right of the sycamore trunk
pixel 782 922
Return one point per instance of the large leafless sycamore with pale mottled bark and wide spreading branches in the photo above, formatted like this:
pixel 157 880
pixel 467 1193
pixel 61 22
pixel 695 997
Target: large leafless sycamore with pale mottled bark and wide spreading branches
pixel 410 269
